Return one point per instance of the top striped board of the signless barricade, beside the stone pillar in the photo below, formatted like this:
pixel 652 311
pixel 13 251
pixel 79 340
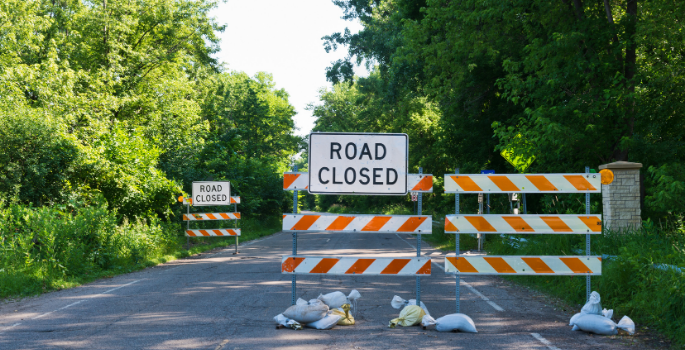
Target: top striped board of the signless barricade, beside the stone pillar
pixel 523 183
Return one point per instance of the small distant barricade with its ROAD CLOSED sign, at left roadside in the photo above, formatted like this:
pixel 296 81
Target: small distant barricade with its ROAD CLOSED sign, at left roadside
pixel 212 193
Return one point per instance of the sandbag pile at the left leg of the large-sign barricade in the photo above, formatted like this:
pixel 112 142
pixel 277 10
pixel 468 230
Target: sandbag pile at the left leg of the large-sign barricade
pixel 324 312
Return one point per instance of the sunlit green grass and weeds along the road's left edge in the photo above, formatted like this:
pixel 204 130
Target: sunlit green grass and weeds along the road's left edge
pixel 45 250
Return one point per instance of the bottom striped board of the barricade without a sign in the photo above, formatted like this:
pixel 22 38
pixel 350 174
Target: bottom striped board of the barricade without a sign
pixel 524 265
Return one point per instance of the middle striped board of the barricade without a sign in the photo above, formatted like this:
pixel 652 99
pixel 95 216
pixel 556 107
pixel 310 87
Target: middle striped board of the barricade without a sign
pixel 524 224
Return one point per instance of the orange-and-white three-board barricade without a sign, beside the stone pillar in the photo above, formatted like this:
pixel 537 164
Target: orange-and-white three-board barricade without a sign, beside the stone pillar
pixel 587 224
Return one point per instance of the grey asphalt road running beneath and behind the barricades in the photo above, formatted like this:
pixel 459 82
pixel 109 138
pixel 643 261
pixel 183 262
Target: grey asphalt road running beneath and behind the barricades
pixel 222 301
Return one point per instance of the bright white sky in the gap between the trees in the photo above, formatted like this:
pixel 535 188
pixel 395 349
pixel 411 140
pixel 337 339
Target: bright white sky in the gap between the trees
pixel 283 37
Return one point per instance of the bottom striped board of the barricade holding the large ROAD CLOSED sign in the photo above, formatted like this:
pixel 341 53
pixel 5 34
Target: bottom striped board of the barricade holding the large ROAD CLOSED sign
pixel 348 266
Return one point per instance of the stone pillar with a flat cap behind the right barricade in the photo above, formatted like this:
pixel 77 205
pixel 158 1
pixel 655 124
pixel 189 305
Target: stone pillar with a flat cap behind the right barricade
pixel 621 198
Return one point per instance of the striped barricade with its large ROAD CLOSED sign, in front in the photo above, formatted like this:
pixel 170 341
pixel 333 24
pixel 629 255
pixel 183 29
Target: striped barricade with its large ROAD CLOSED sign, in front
pixel 357 164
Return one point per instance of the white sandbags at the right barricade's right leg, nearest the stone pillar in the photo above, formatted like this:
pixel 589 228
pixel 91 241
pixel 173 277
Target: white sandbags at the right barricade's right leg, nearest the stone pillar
pixel 593 319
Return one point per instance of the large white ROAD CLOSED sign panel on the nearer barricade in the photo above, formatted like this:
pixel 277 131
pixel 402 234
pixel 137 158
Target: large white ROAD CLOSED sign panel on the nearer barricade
pixel 358 163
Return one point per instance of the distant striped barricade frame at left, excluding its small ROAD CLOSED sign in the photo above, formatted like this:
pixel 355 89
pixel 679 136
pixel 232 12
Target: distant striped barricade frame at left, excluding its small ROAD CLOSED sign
pixel 222 232
